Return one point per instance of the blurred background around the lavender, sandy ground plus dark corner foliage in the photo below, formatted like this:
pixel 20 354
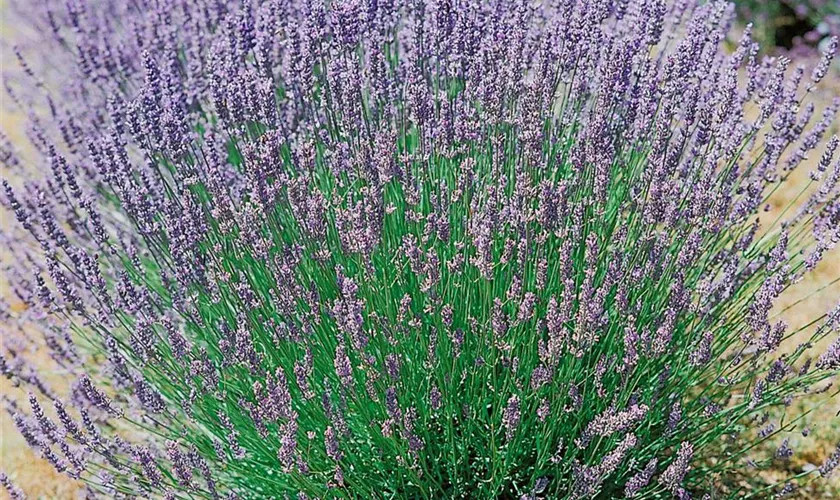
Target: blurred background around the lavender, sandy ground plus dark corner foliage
pixel 792 28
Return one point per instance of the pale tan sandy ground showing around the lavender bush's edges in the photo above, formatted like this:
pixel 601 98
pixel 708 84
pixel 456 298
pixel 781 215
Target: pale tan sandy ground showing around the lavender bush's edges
pixel 39 480
